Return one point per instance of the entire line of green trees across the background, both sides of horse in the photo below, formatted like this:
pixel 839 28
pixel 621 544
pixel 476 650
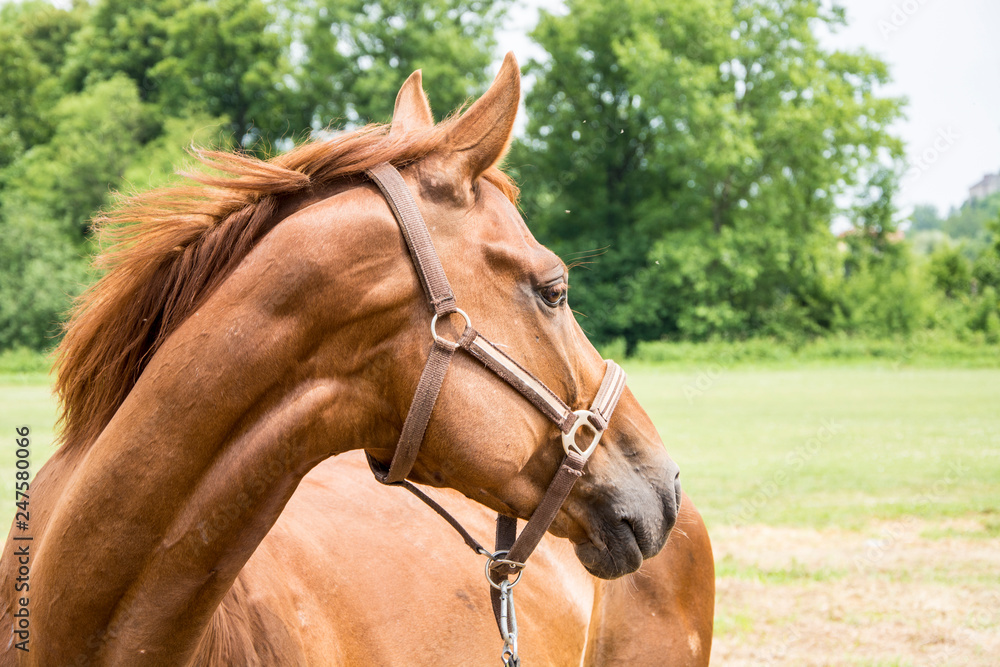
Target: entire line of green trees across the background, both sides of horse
pixel 690 157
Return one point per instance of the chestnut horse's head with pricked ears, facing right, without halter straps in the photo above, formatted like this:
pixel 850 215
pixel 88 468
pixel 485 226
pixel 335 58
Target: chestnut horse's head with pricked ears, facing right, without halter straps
pixel 484 438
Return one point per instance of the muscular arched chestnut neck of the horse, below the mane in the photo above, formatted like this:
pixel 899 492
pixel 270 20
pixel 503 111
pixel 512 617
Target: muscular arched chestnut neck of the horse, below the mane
pixel 152 527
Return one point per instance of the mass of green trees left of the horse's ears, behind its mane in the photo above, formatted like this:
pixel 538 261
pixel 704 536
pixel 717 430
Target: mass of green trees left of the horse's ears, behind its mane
pixel 108 94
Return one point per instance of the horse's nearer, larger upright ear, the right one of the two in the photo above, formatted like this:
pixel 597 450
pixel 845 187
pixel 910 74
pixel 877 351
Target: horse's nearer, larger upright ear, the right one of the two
pixel 480 138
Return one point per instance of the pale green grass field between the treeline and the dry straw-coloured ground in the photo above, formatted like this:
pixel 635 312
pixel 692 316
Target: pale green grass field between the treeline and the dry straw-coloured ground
pixel 813 447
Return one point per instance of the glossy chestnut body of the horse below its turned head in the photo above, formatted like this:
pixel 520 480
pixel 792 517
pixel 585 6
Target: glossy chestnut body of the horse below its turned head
pixel 385 581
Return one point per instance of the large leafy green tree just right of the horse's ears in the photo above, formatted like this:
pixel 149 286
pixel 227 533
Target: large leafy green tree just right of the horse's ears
pixel 703 147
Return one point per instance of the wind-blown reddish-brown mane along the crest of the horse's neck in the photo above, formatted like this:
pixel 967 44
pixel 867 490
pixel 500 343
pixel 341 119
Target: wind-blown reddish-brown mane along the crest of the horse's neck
pixel 166 250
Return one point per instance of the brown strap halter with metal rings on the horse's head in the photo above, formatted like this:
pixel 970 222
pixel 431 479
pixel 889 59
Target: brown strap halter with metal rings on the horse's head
pixel 512 551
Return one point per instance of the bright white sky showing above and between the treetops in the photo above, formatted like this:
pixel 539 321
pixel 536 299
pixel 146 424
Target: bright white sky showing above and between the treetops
pixel 944 57
